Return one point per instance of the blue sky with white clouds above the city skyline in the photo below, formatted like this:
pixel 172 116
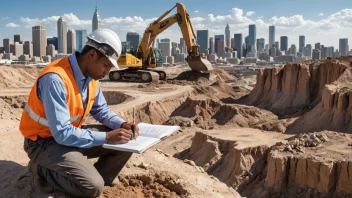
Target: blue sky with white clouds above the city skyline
pixel 324 21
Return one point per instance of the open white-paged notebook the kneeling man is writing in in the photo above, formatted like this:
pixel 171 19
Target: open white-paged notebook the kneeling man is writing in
pixel 149 135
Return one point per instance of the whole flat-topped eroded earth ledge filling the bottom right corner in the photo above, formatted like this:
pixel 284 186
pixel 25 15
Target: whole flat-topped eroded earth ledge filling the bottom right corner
pixel 318 165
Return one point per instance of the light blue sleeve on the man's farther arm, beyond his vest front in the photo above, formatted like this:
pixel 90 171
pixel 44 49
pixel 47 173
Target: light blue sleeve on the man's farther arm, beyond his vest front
pixel 103 114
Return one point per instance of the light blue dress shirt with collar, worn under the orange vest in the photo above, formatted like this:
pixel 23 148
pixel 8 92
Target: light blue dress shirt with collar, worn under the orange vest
pixel 52 92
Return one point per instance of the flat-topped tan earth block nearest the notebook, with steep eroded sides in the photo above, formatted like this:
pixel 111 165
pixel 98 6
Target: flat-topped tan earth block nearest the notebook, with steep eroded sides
pixel 233 162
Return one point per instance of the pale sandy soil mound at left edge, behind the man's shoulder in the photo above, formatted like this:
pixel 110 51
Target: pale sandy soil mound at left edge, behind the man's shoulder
pixel 15 77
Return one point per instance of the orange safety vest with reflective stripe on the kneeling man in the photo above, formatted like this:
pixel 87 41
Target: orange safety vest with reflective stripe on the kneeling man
pixel 34 123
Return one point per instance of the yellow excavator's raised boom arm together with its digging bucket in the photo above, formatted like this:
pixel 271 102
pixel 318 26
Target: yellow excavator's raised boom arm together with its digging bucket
pixel 194 59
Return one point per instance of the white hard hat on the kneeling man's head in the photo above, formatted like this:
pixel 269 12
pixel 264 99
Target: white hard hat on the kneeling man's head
pixel 107 42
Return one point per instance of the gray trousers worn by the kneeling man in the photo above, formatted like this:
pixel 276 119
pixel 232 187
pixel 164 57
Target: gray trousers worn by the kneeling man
pixel 68 169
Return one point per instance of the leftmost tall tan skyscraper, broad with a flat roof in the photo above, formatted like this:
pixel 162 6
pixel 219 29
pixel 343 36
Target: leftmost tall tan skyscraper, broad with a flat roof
pixel 39 40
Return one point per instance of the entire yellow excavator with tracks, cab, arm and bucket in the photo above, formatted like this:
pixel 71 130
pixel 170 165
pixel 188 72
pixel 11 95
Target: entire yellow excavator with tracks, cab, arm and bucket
pixel 141 65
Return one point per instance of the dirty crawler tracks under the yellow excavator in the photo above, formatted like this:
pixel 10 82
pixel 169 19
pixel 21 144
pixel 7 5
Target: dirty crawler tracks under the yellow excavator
pixel 133 75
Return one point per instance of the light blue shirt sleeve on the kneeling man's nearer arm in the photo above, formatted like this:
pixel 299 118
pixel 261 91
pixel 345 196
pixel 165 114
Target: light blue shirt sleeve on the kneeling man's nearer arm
pixel 52 92
